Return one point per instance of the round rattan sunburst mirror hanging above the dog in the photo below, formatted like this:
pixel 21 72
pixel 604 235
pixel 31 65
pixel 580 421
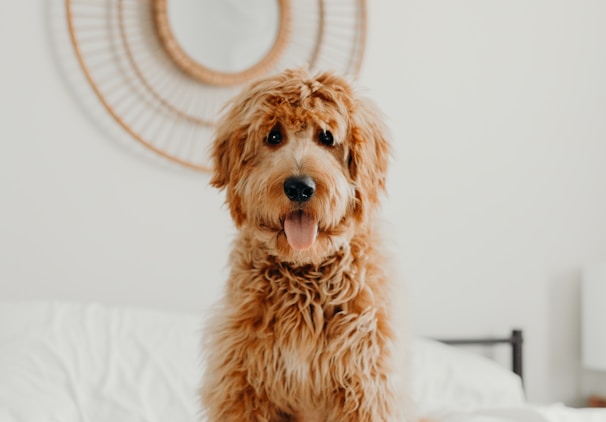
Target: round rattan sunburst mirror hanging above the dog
pixel 134 57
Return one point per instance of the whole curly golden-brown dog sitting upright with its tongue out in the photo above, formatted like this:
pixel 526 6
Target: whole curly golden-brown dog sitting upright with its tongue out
pixel 303 332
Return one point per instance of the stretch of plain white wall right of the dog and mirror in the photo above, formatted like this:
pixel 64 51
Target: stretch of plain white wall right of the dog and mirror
pixel 498 193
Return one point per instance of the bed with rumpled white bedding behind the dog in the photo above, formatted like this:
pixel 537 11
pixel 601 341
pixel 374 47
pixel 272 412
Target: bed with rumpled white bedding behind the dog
pixel 93 363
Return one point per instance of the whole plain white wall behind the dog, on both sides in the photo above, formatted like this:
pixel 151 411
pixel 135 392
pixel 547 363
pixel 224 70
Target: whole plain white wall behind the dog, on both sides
pixel 497 191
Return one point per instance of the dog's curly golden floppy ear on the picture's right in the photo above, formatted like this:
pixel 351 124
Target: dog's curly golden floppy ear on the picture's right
pixel 369 154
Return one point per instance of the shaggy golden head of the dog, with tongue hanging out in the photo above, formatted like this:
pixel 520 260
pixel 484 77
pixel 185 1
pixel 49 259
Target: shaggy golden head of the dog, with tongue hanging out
pixel 303 161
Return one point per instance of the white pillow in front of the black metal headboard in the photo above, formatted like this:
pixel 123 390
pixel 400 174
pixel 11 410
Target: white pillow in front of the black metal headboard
pixel 445 379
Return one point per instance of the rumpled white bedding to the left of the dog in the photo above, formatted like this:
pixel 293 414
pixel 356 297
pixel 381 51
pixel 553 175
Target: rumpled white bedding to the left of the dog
pixel 90 363
